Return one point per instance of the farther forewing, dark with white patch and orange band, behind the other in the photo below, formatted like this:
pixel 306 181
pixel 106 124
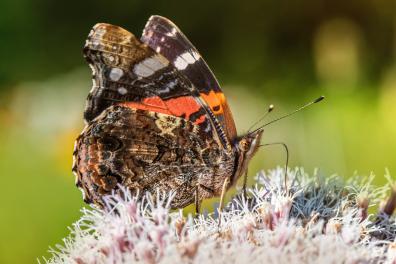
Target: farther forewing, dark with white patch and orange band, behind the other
pixel 167 39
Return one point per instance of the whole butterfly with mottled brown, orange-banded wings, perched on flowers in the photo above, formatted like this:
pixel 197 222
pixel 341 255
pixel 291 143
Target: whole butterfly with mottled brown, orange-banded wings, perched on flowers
pixel 156 119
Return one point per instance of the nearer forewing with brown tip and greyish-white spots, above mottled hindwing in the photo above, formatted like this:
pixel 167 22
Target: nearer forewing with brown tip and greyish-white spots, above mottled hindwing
pixel 126 70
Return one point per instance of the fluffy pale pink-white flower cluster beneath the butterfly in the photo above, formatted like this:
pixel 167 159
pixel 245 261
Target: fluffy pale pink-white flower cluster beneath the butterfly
pixel 316 220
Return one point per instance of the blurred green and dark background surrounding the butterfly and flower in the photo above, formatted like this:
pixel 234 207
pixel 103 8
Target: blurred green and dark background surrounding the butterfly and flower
pixel 263 52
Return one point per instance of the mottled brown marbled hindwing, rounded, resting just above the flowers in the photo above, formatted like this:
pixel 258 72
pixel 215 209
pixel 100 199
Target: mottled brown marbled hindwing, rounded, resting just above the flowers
pixel 143 150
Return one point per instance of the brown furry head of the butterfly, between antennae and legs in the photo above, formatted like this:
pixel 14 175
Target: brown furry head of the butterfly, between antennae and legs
pixel 245 147
